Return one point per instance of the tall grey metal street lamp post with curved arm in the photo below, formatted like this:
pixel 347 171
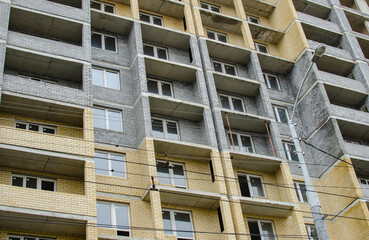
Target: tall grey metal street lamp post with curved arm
pixel 311 194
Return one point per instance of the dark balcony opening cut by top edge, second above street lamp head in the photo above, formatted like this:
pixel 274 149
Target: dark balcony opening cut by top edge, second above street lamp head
pixel 312 9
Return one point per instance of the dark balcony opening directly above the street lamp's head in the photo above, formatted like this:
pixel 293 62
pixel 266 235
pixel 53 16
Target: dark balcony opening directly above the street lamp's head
pixel 322 36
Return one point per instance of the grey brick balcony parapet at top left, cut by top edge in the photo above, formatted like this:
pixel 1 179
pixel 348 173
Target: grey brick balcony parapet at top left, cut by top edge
pixel 57 9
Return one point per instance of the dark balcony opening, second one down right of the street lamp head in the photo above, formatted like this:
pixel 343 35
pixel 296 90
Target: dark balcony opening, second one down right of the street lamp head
pixel 345 97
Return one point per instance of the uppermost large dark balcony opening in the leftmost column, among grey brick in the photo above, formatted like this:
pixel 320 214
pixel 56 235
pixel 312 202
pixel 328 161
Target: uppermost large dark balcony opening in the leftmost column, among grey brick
pixel 45 27
